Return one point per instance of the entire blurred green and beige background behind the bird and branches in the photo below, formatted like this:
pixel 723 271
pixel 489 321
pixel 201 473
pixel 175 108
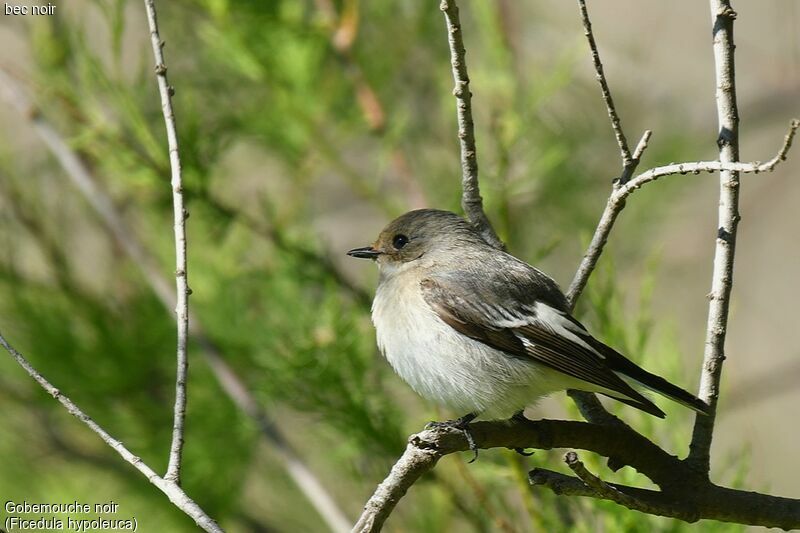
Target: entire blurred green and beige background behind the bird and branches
pixel 305 125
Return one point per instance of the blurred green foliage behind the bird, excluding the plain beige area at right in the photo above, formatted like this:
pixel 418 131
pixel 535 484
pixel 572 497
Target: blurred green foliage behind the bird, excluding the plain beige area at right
pixel 292 114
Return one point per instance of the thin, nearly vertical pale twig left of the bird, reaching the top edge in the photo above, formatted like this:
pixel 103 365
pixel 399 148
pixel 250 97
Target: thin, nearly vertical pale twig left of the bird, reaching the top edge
pixel 181 265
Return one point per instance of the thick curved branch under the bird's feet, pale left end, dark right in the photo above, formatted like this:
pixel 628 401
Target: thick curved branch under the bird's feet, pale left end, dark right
pixel 685 494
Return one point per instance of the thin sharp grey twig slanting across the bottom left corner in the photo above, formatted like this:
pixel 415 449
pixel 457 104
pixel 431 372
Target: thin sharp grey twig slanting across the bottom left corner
pixel 173 491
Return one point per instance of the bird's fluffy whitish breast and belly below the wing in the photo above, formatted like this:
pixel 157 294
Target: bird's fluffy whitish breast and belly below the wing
pixel 447 367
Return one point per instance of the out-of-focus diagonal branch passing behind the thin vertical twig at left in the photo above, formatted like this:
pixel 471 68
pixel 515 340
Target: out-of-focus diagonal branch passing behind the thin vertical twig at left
pixel 233 385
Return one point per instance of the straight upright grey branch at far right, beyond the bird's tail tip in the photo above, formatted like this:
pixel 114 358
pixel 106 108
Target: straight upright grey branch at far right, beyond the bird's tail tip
pixel 722 17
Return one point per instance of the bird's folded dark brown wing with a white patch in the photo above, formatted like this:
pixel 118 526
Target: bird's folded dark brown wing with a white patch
pixel 529 325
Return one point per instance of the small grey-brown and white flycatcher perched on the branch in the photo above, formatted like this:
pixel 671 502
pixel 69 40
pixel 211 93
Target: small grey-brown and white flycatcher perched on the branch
pixel 479 331
